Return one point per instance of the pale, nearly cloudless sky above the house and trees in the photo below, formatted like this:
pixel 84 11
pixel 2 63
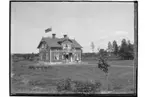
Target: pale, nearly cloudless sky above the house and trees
pixel 86 22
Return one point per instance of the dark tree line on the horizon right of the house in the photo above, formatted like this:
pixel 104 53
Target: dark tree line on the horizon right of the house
pixel 124 51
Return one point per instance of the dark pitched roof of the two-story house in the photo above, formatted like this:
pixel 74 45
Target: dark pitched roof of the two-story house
pixel 55 42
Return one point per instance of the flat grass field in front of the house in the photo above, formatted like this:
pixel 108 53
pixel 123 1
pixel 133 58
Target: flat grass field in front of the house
pixel 26 80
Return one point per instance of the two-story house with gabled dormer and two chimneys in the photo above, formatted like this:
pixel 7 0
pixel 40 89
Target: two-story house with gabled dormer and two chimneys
pixel 53 49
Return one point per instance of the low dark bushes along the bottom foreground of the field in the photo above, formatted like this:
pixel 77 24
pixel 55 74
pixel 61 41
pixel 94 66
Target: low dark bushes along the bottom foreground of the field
pixel 78 86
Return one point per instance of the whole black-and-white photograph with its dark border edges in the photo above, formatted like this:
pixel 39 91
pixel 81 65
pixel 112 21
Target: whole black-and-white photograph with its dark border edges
pixel 73 48
